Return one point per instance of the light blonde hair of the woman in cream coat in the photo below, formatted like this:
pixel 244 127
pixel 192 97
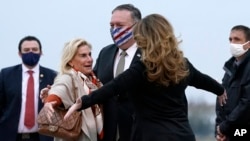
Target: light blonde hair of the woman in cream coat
pixel 69 51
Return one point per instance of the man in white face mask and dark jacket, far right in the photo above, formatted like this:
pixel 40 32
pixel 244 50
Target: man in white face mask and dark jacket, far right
pixel 233 119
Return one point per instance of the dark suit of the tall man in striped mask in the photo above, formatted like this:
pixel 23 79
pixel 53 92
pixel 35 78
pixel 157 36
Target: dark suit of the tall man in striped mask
pixel 119 109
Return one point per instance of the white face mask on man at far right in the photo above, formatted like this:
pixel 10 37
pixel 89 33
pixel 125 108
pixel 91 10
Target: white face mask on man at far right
pixel 237 49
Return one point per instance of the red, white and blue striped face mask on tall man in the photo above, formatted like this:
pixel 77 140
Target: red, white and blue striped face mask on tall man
pixel 121 35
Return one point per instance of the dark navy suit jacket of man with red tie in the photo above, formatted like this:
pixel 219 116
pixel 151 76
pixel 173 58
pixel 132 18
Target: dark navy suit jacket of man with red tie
pixel 11 99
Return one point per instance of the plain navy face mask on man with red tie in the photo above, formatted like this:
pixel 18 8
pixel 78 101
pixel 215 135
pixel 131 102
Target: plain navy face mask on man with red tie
pixel 30 59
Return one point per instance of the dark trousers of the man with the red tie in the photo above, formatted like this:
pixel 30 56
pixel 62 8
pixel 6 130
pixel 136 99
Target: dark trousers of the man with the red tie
pixel 27 137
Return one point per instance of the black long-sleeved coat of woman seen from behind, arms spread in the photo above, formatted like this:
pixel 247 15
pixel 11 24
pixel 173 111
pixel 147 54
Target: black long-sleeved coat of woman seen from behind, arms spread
pixel 161 112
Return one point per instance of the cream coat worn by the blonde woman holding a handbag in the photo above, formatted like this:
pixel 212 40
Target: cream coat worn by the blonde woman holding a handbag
pixel 64 88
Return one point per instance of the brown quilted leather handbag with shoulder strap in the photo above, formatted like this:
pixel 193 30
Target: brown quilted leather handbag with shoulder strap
pixel 69 129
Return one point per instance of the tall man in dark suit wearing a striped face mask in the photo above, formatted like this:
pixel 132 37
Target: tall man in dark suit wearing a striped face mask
pixel 118 111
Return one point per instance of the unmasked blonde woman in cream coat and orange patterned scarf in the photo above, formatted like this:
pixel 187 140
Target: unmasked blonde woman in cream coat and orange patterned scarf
pixel 76 79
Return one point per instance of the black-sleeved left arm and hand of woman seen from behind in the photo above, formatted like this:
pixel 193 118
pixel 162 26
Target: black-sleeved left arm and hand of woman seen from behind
pixel 128 80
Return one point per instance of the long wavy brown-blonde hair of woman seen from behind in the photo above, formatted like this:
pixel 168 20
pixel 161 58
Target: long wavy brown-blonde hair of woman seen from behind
pixel 164 61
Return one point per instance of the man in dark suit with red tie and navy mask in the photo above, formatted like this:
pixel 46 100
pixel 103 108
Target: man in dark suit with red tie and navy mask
pixel 16 123
